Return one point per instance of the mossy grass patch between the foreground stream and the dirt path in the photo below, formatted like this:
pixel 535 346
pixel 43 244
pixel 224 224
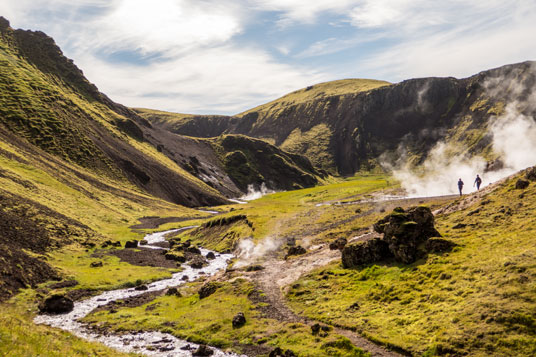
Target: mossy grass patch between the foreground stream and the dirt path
pixel 209 321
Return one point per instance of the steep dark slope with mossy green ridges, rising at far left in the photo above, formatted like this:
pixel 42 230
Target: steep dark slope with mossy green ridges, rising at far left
pixel 46 101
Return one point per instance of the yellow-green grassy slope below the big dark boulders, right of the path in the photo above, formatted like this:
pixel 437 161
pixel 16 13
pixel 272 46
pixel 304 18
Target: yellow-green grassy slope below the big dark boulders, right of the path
pixel 478 299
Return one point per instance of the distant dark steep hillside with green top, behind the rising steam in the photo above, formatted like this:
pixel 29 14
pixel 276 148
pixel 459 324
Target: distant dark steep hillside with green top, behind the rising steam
pixel 357 129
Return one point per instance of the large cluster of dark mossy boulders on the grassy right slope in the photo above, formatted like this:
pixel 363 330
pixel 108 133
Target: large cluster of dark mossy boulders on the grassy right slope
pixel 404 236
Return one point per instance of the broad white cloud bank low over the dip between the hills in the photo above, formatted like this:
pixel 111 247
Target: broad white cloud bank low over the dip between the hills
pixel 223 79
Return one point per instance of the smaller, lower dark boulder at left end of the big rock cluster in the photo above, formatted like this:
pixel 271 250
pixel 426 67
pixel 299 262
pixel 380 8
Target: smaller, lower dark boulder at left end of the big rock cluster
pixel 366 252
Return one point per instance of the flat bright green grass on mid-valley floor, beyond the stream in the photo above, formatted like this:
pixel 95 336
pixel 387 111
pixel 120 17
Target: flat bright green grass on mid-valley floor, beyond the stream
pixel 280 214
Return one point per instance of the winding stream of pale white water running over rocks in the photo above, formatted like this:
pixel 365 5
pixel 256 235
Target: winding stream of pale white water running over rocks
pixel 148 343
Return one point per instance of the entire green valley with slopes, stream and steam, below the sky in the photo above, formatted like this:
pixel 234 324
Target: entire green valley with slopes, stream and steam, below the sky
pixel 131 231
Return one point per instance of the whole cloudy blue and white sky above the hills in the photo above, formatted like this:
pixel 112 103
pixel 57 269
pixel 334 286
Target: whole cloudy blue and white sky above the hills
pixel 224 57
